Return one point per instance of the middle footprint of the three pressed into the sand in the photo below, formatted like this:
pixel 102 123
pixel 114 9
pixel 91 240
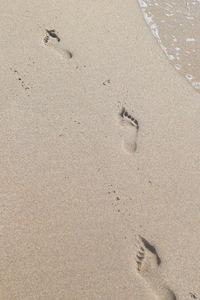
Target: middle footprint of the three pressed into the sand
pixel 130 129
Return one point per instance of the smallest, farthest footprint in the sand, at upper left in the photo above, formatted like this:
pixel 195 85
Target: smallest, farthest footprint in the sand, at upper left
pixel 53 41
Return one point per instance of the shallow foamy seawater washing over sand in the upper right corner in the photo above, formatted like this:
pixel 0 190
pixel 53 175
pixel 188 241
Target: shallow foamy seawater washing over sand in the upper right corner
pixel 176 25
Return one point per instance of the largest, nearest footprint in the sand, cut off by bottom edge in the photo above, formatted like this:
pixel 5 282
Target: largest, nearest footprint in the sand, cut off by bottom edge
pixel 148 261
